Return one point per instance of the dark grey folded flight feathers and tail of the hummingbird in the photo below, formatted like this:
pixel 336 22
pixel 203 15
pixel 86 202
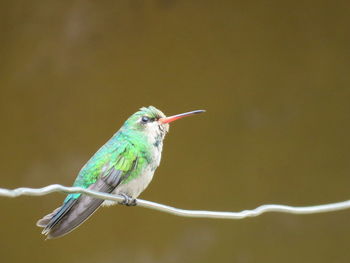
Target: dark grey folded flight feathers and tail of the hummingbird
pixel 75 211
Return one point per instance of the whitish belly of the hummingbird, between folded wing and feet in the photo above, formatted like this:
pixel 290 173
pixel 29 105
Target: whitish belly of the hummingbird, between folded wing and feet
pixel 133 188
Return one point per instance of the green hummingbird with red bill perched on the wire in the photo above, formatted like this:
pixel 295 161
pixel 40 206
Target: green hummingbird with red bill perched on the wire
pixel 124 166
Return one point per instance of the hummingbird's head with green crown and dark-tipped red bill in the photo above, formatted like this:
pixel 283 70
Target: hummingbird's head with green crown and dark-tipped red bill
pixel 153 122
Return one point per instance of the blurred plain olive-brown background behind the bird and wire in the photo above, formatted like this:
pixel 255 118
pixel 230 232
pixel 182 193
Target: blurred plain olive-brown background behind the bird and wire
pixel 273 77
